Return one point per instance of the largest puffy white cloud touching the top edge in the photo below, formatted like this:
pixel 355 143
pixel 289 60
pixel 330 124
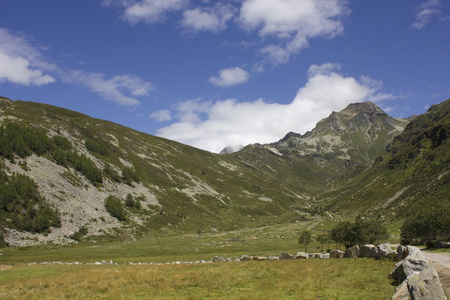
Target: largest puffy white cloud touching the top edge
pixel 291 23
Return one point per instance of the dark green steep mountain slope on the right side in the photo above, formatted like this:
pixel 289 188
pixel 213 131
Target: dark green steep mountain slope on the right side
pixel 412 173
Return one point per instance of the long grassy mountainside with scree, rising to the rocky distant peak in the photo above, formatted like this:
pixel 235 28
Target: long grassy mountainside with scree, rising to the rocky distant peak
pixel 67 176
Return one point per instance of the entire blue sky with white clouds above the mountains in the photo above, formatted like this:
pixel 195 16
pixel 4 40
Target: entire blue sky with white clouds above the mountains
pixel 213 74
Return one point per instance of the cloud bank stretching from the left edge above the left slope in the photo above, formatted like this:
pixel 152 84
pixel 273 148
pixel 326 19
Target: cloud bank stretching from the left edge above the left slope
pixel 24 64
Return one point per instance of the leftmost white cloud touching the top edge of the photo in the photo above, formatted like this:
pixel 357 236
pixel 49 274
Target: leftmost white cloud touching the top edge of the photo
pixel 148 11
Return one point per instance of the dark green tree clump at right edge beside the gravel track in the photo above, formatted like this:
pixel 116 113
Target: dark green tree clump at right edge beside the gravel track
pixel 427 225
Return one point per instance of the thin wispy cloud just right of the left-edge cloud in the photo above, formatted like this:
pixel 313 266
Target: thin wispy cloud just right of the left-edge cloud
pixel 114 89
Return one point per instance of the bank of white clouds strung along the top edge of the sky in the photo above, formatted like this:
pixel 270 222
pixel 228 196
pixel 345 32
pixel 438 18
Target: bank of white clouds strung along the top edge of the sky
pixel 284 27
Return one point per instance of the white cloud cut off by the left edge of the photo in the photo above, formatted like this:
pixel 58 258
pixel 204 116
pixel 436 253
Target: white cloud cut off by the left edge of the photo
pixel 20 62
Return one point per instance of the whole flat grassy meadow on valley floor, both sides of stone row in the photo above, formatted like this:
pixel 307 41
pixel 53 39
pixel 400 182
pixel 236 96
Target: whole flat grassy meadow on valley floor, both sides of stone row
pixel 22 276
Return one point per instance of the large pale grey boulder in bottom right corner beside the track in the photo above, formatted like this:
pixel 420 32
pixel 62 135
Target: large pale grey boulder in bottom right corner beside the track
pixel 418 280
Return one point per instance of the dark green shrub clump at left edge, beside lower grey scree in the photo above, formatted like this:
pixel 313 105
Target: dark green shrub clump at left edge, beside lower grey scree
pixel 20 198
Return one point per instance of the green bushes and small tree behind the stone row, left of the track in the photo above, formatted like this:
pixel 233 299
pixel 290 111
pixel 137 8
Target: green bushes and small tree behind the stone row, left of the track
pixel 359 232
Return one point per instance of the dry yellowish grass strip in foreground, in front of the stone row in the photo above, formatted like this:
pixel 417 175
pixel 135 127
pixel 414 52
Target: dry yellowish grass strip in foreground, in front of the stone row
pixel 290 279
